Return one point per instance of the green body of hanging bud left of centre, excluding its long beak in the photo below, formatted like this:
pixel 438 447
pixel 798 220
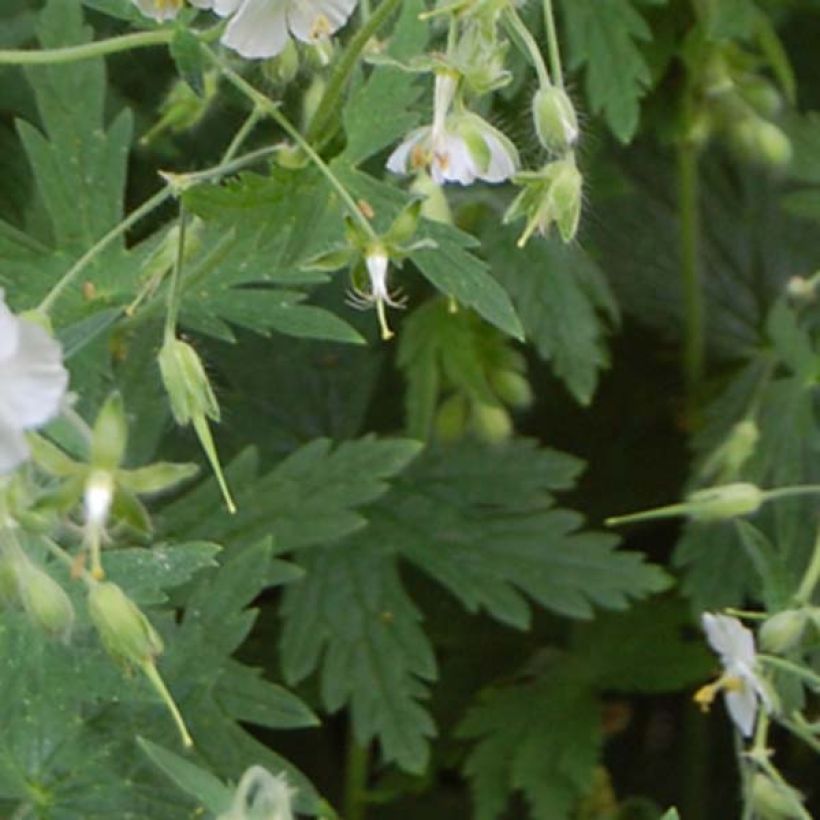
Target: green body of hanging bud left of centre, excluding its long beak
pixel 186 383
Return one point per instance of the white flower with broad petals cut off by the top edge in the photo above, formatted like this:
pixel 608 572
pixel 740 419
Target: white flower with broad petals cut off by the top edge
pixel 262 28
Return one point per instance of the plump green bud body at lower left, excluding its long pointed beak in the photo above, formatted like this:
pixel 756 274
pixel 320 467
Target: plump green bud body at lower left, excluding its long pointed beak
pixel 125 632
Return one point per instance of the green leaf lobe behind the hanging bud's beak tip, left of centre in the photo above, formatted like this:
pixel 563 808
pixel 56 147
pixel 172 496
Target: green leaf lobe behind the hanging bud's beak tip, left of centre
pixel 309 498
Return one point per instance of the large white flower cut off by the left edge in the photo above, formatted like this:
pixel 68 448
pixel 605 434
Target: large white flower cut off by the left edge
pixel 32 383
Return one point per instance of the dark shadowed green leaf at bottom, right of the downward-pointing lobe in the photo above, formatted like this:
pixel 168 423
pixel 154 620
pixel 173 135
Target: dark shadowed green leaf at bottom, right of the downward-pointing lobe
pixel 541 738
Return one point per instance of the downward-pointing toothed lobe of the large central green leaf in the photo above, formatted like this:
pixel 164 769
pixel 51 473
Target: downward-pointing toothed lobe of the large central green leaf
pixel 352 616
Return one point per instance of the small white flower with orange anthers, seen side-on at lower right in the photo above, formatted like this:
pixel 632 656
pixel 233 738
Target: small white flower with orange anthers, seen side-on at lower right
pixel 742 688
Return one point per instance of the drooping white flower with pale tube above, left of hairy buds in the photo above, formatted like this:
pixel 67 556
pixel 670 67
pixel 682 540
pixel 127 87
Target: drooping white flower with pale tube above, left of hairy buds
pixel 459 147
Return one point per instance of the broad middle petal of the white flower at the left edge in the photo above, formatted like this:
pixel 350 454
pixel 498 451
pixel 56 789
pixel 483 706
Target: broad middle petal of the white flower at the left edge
pixel 34 379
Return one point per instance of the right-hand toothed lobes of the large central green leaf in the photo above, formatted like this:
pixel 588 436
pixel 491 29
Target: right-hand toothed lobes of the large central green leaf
pixel 481 521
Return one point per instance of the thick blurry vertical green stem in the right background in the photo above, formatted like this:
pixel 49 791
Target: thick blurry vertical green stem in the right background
pixel 694 340
